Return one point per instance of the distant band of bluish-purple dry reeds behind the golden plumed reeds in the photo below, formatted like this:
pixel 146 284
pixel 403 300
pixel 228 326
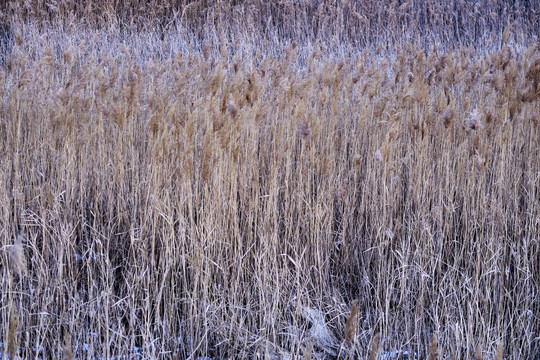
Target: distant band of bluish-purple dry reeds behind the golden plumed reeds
pixel 360 22
